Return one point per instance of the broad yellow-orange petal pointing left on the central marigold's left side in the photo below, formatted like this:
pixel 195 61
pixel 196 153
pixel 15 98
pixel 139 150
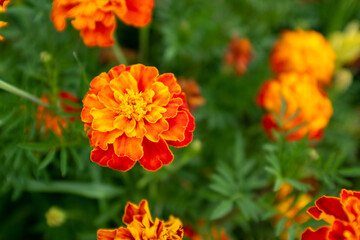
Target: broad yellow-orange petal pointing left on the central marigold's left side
pixel 103 119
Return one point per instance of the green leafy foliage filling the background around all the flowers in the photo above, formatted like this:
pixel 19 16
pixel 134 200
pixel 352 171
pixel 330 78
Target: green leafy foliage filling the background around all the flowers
pixel 230 175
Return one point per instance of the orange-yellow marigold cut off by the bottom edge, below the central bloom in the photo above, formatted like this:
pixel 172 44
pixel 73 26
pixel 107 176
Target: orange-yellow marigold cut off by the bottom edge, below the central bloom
pixel 139 225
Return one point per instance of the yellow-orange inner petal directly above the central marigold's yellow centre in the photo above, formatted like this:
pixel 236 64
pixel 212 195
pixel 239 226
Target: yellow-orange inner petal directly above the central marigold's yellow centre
pixel 123 83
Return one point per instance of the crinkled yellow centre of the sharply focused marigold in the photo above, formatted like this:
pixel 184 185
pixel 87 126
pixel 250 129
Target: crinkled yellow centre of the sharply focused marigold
pixel 135 105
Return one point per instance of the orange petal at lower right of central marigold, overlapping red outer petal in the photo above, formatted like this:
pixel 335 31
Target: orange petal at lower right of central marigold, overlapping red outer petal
pixel 177 127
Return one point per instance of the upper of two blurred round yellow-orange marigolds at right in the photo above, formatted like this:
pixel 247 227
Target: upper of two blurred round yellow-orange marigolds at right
pixel 306 52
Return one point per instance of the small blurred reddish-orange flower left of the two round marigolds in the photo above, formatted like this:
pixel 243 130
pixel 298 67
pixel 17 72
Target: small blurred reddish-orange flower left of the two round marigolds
pixel 239 54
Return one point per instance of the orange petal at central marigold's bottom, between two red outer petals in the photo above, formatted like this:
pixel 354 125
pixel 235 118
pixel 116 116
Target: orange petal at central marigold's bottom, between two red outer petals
pixel 125 146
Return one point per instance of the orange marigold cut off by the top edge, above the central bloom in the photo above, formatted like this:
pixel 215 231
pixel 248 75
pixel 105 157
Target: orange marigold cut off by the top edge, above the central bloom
pixel 96 18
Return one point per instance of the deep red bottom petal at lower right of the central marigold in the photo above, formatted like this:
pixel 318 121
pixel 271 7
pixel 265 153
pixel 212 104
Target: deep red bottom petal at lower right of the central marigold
pixel 155 155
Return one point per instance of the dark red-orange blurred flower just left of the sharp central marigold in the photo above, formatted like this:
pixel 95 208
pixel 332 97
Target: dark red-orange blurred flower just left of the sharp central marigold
pixel 50 120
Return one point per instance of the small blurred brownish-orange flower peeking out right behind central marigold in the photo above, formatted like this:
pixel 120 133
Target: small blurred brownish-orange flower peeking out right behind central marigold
pixel 192 93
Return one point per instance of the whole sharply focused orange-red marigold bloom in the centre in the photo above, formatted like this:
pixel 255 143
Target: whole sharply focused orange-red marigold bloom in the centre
pixel 132 114
